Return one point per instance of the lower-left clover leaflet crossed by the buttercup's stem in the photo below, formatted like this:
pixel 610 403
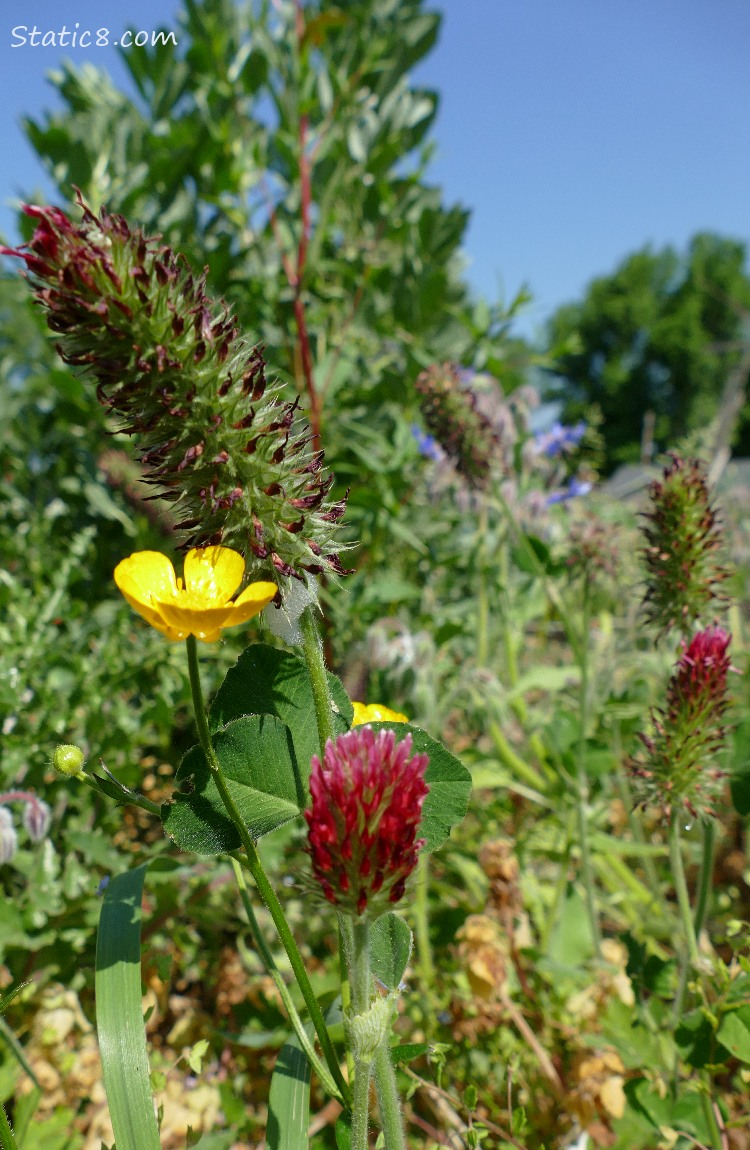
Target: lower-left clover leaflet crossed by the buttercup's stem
pixel 259 766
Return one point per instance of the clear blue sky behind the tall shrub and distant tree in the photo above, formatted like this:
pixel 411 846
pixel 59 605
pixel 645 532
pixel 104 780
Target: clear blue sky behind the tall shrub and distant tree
pixel 577 131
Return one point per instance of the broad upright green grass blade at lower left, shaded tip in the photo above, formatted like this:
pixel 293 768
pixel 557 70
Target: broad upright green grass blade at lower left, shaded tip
pixel 123 1036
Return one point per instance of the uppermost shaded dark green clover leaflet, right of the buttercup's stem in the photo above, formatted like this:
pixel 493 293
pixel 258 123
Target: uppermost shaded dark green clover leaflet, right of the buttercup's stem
pixel 272 683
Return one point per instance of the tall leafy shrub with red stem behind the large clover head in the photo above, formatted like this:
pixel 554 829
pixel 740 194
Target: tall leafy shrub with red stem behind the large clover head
pixel 299 177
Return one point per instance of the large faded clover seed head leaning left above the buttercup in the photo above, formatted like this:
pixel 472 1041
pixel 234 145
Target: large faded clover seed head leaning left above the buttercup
pixel 215 436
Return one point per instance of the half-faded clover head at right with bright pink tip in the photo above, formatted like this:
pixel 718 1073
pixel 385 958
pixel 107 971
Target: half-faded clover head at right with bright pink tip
pixel 679 769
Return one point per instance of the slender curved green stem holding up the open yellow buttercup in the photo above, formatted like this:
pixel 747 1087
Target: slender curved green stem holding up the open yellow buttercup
pixel 261 878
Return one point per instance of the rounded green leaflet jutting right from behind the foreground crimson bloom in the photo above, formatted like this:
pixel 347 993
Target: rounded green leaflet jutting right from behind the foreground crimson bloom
pixel 449 781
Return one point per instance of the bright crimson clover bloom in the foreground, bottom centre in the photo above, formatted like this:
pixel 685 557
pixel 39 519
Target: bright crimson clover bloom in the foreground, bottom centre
pixel 368 800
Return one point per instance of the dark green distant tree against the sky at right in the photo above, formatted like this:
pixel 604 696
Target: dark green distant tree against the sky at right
pixel 667 333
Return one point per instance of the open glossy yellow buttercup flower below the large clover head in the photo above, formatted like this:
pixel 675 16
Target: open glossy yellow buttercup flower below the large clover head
pixel 203 607
